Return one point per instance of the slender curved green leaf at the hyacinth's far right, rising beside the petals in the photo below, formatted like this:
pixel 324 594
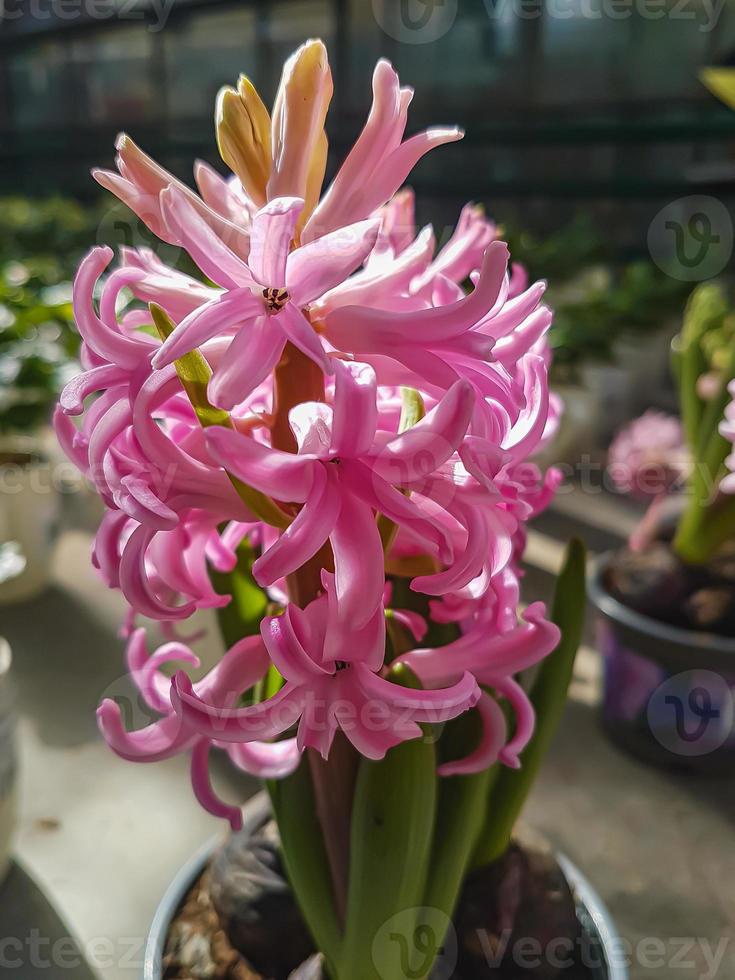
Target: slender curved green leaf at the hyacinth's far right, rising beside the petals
pixel 548 696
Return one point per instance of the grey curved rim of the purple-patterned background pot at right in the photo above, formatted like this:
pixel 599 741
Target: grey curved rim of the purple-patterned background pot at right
pixel 615 610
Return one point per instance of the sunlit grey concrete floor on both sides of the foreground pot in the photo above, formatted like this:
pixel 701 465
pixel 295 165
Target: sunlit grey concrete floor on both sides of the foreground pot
pixel 99 839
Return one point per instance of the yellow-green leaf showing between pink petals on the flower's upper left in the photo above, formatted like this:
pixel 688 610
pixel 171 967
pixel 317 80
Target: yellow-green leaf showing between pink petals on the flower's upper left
pixel 194 373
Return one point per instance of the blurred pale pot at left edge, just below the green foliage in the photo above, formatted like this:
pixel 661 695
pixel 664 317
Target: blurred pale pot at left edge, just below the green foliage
pixel 29 515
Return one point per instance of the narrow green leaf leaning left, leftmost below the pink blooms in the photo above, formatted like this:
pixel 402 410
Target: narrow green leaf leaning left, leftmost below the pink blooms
pixel 305 859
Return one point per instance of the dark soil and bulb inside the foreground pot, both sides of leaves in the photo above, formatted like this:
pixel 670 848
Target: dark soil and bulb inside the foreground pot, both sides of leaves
pixel 516 918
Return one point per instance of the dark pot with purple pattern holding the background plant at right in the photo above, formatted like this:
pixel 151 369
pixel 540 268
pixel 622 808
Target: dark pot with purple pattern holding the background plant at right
pixel 669 693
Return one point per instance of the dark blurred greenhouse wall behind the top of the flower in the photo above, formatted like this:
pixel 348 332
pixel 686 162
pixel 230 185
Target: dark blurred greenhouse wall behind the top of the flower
pixel 569 105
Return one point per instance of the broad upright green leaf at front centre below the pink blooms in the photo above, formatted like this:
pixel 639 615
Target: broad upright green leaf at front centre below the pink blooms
pixel 390 850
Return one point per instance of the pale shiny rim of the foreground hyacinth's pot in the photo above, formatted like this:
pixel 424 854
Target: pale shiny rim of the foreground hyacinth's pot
pixel 254 811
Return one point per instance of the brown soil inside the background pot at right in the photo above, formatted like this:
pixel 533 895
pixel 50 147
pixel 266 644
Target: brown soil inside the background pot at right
pixel 658 584
